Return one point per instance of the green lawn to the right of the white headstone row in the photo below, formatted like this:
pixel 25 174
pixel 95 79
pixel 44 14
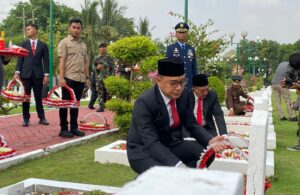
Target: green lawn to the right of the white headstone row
pixel 287 164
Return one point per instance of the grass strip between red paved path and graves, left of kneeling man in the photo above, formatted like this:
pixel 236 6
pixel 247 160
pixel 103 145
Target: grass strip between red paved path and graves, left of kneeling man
pixel 74 164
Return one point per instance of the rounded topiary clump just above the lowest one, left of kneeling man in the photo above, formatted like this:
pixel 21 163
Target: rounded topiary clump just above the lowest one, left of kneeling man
pixel 119 106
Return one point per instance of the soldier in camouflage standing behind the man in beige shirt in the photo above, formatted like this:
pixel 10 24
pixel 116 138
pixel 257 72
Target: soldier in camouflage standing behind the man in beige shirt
pixel 104 67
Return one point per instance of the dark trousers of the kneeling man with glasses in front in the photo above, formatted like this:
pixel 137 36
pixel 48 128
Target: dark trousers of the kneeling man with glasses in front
pixel 187 151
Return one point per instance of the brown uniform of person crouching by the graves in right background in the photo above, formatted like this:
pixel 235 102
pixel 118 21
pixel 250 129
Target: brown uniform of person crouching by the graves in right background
pixel 233 99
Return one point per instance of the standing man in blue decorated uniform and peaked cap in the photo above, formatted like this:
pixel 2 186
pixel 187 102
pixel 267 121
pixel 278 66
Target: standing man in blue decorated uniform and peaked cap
pixel 183 51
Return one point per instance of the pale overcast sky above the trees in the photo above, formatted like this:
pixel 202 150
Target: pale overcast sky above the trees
pixel 267 19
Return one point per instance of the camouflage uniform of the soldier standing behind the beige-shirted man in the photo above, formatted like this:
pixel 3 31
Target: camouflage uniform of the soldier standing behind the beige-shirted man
pixel 108 67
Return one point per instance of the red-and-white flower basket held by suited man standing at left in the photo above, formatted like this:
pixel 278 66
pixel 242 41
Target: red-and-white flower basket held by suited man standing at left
pixel 15 92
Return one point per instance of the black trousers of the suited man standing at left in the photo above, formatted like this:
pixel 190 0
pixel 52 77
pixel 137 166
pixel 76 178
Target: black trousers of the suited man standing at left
pixel 37 86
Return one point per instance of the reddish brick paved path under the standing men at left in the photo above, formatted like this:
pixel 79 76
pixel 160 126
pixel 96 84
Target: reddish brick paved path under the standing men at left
pixel 36 136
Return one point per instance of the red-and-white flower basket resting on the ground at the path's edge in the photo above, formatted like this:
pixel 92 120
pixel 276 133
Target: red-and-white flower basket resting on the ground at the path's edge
pixel 98 123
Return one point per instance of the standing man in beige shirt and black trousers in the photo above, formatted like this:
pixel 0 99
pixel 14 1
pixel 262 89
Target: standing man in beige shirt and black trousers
pixel 74 72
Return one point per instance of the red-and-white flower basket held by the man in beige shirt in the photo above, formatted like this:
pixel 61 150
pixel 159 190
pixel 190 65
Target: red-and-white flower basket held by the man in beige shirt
pixel 54 99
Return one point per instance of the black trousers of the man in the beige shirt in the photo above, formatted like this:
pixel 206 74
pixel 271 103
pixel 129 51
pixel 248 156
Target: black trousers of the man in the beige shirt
pixel 63 112
